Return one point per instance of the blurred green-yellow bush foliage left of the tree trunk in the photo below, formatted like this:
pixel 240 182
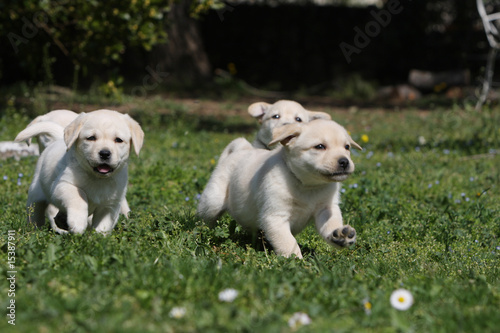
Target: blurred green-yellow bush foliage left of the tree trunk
pixel 79 37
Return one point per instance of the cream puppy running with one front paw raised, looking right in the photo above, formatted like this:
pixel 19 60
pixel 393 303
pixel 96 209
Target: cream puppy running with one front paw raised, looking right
pixel 279 191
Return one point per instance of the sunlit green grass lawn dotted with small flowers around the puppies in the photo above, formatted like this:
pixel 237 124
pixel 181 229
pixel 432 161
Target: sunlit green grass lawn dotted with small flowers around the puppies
pixel 426 214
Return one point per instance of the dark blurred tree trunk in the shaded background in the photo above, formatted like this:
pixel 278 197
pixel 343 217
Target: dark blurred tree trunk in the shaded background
pixel 183 56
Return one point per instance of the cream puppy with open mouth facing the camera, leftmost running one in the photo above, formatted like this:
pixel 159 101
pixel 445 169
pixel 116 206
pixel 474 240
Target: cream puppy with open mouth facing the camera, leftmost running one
pixel 85 173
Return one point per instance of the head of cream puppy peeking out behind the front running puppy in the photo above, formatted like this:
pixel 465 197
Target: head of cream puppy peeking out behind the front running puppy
pixel 278 114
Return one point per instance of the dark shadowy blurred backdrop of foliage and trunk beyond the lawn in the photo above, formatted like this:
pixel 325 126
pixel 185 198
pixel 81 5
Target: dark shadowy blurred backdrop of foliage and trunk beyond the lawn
pixel 290 45
